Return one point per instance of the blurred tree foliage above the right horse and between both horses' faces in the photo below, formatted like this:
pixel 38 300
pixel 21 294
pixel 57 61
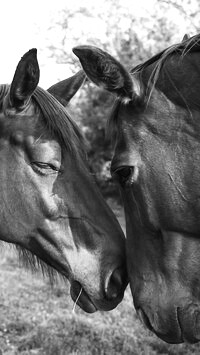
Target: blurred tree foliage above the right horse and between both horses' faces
pixel 130 33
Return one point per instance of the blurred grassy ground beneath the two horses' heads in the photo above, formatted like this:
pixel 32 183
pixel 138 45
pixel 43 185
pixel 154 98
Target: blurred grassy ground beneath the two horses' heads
pixel 36 318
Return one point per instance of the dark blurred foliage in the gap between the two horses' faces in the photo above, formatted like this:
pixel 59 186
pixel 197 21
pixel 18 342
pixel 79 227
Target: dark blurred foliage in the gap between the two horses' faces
pixel 94 106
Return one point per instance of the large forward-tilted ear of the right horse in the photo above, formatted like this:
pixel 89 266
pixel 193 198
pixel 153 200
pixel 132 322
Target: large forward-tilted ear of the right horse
pixel 104 70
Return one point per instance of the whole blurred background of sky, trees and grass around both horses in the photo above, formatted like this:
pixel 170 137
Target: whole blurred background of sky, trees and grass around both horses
pixel 36 318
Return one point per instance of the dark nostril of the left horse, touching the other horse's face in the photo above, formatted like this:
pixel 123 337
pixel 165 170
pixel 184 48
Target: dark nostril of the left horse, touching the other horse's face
pixel 115 284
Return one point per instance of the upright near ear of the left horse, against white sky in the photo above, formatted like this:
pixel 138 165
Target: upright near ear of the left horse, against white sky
pixel 25 80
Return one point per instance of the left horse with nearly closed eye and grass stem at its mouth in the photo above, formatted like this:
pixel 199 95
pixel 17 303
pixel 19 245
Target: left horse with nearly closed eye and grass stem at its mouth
pixel 51 208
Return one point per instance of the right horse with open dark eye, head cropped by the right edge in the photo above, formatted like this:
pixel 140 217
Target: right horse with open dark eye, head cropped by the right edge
pixel 155 127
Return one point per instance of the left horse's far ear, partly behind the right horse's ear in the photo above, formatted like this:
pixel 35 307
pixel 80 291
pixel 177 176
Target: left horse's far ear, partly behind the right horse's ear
pixel 66 89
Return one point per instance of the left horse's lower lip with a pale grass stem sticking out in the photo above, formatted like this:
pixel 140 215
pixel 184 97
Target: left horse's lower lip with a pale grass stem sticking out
pixel 81 298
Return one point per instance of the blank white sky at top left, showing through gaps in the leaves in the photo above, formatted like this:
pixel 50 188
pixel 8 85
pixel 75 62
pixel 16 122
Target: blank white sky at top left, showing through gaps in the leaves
pixel 24 24
